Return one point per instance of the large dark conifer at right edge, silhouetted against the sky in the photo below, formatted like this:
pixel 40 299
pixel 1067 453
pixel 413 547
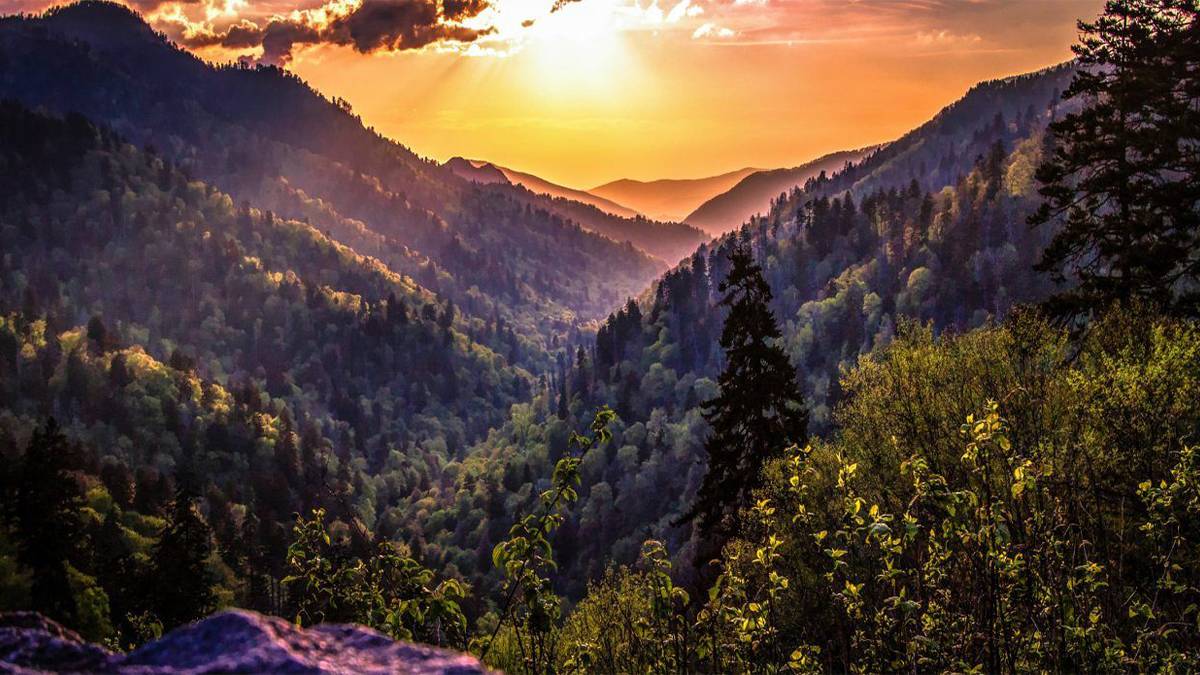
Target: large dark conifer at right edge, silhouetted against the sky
pixel 1123 177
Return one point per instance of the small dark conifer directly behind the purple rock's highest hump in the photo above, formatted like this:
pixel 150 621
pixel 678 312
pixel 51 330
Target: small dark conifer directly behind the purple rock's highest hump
pixel 183 581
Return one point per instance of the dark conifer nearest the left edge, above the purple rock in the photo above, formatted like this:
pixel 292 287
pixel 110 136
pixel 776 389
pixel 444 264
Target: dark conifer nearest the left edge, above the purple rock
pixel 46 517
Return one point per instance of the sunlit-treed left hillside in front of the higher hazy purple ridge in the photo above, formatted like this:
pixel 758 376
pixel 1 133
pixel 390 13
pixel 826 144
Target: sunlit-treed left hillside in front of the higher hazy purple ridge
pixel 169 330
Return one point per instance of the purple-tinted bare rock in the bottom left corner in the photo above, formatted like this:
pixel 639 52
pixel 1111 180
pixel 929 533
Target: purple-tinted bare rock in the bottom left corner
pixel 230 642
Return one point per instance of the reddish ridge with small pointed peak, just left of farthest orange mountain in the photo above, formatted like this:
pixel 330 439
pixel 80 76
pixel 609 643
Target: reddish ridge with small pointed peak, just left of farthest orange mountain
pixel 669 242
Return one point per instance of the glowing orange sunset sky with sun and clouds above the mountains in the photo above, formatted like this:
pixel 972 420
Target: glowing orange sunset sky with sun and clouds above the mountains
pixel 585 92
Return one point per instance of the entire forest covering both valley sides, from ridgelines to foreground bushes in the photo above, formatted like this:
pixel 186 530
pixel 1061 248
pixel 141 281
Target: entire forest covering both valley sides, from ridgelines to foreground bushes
pixel 934 411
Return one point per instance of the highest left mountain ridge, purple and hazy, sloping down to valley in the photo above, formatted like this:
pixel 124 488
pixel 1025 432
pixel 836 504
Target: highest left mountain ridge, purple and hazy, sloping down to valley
pixel 266 138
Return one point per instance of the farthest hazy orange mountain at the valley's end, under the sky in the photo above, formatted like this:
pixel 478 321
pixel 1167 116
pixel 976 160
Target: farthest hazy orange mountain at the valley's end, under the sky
pixel 669 199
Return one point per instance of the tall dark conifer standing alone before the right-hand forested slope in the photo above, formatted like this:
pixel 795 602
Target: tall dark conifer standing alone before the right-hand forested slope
pixel 760 410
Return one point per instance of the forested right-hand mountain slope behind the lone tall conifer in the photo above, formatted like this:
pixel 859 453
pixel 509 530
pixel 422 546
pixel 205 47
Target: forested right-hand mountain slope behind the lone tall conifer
pixel 929 229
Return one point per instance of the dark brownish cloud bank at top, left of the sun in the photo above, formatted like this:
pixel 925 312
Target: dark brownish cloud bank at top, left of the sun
pixel 375 26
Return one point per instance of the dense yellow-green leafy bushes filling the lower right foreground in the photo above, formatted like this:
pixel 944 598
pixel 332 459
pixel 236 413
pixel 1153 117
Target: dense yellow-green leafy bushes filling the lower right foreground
pixel 1016 542
